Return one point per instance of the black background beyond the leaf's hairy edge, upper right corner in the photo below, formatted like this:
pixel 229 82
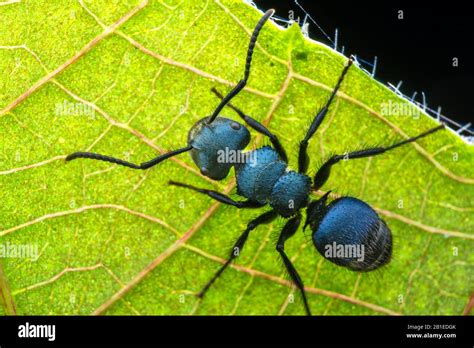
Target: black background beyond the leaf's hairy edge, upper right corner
pixel 418 50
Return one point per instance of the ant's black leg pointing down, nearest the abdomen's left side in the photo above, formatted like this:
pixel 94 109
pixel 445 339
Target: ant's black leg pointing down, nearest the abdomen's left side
pixel 288 231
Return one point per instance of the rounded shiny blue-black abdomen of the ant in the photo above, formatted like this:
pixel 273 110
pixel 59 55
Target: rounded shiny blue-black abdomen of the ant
pixel 352 235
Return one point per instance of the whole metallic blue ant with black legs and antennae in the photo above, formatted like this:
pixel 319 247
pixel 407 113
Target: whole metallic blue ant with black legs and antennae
pixel 267 180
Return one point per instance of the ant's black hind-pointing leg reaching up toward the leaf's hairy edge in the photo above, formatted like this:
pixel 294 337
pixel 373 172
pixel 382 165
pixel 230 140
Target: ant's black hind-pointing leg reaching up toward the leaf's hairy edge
pixel 303 159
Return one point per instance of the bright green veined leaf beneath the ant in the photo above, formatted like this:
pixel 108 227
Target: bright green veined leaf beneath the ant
pixel 129 79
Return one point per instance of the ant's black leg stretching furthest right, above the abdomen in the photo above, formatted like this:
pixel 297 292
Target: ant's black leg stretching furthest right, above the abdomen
pixel 323 172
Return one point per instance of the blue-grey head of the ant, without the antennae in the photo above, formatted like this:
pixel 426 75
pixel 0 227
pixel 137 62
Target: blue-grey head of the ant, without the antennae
pixel 216 144
